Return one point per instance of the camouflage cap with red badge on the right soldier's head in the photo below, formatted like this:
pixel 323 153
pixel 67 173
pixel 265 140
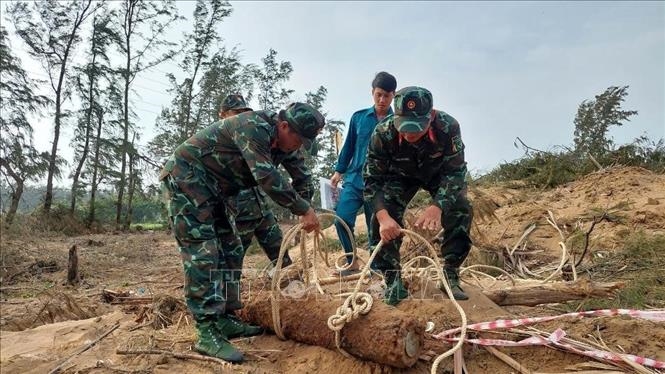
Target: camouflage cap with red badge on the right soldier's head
pixel 412 109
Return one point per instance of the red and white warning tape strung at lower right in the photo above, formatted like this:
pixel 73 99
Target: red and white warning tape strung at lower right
pixel 556 338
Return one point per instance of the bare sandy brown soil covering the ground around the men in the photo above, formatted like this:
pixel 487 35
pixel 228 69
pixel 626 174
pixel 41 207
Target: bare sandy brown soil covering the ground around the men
pixel 45 323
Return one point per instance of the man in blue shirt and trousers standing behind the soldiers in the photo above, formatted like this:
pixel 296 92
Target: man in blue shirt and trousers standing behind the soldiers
pixel 352 159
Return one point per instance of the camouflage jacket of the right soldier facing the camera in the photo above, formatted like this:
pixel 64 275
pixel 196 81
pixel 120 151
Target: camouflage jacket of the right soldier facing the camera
pixel 435 163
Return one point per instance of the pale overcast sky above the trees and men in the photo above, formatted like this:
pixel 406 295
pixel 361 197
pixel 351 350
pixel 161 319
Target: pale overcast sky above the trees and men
pixel 503 69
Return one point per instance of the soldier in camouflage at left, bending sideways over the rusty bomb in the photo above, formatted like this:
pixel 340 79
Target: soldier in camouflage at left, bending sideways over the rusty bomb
pixel 217 162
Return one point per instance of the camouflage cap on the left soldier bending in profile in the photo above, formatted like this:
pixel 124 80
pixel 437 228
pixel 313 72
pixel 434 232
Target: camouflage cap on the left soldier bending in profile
pixel 307 122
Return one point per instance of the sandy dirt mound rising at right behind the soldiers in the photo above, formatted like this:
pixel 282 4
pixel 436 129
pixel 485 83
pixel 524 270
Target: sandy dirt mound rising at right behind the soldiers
pixel 627 198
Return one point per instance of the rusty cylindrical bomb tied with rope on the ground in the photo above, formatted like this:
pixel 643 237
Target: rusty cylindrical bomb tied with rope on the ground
pixel 384 335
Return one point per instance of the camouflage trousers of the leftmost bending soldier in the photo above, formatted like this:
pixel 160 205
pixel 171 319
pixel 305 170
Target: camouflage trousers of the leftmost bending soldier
pixel 212 267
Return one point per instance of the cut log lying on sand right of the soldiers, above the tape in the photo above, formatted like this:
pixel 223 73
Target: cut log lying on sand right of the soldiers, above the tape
pixel 548 293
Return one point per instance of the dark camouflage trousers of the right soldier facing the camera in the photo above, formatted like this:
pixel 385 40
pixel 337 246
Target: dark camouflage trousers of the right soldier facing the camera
pixel 456 222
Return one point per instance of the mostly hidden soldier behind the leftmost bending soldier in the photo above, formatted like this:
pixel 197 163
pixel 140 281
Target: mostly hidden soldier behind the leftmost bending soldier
pixel 252 215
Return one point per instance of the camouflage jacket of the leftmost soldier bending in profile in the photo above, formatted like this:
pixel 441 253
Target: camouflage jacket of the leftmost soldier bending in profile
pixel 235 154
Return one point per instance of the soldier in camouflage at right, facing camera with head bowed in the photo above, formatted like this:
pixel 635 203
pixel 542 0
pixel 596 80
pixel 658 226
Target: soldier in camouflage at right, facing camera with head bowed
pixel 418 147
